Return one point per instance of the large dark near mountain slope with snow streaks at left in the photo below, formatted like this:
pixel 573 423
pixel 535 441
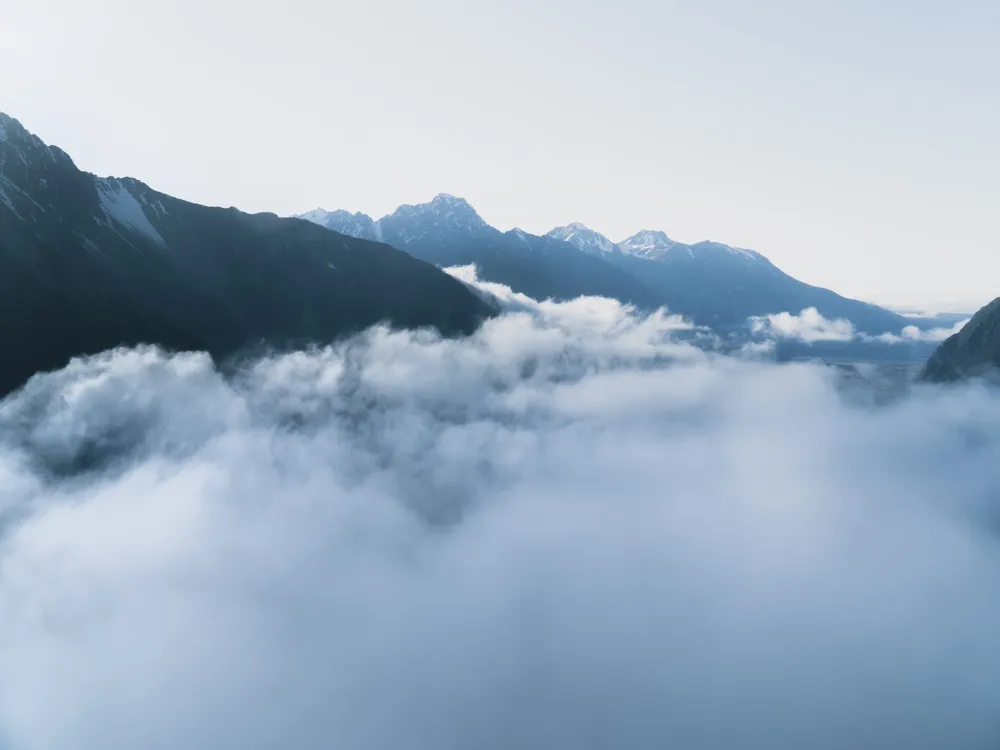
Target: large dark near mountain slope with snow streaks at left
pixel 90 263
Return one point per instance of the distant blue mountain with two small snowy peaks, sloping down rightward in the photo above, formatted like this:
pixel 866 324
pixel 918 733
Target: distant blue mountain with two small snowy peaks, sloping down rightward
pixel 721 286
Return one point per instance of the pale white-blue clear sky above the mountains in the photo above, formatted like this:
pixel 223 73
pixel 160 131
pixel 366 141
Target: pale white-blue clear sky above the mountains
pixel 856 144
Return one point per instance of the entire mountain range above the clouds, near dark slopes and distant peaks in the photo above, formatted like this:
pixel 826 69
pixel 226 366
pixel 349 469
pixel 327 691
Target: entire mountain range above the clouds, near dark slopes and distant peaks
pixel 91 263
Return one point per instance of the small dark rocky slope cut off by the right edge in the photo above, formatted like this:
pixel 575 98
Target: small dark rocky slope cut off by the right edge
pixel 973 351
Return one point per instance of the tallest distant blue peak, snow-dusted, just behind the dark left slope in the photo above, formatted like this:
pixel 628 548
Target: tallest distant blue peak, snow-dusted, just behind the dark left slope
pixel 448 232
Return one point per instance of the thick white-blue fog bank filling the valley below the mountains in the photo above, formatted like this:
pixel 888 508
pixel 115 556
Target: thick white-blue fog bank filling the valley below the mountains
pixel 571 530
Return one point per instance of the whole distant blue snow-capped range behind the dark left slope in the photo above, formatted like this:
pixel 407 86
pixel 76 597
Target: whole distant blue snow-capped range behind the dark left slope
pixel 711 283
